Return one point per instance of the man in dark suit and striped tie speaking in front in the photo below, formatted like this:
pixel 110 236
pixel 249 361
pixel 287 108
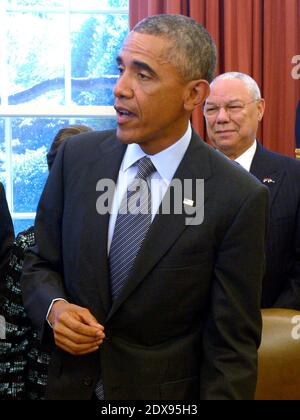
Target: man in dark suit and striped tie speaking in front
pixel 184 320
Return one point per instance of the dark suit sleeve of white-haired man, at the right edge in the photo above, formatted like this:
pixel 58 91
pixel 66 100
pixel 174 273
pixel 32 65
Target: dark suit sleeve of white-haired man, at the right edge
pixel 290 297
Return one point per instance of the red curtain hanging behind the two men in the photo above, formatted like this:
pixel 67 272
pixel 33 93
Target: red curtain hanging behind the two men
pixel 258 37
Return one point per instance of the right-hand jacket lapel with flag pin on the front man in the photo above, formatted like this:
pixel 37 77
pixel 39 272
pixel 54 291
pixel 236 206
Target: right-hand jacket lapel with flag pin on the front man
pixel 166 228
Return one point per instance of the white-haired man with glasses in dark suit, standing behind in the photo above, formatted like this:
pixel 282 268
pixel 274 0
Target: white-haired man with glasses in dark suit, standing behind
pixel 233 111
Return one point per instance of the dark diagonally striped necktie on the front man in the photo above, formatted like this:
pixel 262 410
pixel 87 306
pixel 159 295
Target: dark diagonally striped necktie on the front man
pixel 132 224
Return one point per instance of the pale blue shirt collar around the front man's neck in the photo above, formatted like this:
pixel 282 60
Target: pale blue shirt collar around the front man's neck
pixel 166 162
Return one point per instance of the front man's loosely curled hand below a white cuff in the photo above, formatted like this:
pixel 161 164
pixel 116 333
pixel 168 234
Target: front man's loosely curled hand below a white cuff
pixel 75 329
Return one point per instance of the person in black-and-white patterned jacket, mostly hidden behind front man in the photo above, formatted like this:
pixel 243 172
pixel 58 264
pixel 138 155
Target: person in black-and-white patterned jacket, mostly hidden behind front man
pixel 23 361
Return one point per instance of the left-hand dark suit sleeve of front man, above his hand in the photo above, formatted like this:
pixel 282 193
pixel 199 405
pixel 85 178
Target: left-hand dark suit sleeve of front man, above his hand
pixel 42 271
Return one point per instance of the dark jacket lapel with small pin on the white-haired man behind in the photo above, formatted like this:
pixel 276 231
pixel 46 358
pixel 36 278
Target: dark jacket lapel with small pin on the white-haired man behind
pixel 263 168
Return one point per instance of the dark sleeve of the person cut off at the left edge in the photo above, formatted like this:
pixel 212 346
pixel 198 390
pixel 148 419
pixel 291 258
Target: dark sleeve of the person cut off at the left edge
pixel 6 231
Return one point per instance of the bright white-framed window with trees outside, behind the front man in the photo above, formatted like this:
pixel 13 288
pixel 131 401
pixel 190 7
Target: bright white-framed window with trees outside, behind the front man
pixel 57 67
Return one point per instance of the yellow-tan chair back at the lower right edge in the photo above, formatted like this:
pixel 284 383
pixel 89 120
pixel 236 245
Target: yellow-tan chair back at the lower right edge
pixel 279 356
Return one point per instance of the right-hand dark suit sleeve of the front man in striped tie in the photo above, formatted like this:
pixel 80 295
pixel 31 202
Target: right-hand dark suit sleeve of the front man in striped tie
pixel 233 329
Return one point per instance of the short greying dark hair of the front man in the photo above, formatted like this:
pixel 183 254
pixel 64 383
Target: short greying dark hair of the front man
pixel 192 50
